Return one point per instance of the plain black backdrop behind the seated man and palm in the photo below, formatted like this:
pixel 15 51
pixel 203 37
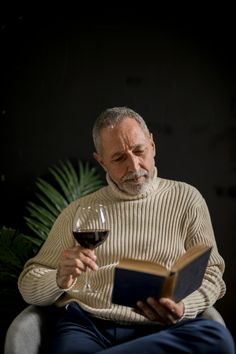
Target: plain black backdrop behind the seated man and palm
pixel 178 70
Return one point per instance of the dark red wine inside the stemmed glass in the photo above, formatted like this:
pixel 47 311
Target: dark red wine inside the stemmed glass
pixel 90 239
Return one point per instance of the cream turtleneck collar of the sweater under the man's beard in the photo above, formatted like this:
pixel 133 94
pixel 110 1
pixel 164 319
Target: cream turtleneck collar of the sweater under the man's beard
pixel 119 194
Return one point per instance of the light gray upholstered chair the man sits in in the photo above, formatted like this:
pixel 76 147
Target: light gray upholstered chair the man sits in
pixel 30 331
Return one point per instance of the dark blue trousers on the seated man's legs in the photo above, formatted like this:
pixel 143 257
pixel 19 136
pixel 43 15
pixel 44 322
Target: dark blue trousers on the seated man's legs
pixel 79 333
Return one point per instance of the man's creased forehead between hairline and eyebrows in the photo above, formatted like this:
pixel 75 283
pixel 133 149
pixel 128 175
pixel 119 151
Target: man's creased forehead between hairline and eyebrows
pixel 125 135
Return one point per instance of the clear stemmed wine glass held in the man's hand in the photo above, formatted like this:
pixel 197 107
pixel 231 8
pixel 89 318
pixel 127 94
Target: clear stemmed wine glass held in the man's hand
pixel 90 229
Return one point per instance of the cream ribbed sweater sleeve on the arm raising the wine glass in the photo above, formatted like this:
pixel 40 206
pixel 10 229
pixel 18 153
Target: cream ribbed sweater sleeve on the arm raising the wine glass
pixel 37 282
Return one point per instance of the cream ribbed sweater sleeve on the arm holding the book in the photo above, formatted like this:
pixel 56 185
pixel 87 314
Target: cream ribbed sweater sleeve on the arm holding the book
pixel 213 287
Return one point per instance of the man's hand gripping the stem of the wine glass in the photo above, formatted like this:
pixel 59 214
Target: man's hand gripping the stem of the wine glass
pixel 72 263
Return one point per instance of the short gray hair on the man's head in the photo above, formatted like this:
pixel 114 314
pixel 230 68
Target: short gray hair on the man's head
pixel 111 117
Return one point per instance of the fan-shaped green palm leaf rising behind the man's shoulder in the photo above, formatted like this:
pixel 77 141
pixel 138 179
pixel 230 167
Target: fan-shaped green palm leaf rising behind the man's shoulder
pixel 68 185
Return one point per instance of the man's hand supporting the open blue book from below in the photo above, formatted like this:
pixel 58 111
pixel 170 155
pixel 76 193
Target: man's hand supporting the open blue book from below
pixel 165 311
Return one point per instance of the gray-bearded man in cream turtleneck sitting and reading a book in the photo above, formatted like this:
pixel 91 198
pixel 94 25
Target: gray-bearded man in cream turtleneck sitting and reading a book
pixel 150 218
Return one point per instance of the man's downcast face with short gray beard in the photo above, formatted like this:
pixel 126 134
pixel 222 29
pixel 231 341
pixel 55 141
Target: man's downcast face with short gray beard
pixel 127 154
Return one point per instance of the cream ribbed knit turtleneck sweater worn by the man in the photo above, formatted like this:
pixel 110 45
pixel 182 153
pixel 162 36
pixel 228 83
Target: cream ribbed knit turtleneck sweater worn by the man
pixel 156 226
